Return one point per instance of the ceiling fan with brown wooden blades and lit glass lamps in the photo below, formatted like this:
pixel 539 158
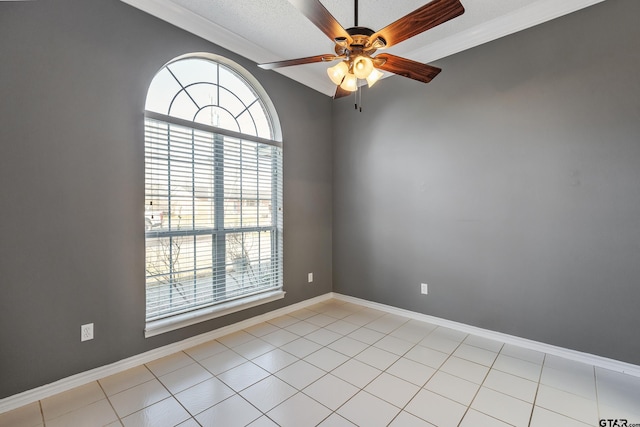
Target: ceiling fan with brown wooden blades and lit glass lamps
pixel 355 46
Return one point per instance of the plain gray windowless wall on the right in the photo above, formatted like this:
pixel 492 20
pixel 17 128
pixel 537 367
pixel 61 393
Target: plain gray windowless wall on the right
pixel 510 184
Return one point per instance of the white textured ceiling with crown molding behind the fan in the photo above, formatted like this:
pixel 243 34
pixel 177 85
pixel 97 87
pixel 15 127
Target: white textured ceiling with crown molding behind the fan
pixel 273 30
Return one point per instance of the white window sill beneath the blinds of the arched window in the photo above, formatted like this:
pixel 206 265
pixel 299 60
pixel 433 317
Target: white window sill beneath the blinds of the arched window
pixel 161 326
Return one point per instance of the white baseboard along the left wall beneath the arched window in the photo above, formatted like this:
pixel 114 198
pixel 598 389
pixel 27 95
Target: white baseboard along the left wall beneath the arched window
pixel 65 384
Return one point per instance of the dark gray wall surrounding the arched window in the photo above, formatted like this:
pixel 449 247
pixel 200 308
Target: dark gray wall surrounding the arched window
pixel 73 81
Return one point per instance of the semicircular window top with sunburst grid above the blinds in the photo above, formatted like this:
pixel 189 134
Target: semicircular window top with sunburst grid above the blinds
pixel 214 91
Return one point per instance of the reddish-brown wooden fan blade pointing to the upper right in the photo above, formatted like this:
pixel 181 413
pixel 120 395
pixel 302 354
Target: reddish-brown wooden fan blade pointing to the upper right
pixel 428 16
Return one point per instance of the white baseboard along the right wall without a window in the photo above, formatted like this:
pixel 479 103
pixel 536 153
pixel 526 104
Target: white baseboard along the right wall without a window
pixel 591 359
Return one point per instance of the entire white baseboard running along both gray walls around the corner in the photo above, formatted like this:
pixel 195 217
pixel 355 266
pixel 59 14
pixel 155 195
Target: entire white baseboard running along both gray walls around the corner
pixel 65 384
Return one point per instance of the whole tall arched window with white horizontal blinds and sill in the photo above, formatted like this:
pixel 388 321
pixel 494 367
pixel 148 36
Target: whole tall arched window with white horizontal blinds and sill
pixel 213 193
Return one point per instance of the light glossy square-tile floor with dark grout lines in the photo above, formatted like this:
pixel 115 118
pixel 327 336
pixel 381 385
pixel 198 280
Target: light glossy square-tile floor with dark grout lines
pixel 340 364
